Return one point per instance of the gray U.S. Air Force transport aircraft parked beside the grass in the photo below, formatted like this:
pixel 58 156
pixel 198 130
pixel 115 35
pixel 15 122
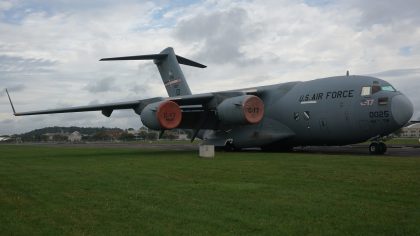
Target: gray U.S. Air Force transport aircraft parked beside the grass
pixel 337 110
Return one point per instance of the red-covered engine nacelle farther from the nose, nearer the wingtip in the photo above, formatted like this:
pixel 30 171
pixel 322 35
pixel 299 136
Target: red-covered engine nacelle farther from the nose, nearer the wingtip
pixel 161 115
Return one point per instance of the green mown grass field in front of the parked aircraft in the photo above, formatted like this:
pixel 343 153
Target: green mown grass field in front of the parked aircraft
pixel 92 191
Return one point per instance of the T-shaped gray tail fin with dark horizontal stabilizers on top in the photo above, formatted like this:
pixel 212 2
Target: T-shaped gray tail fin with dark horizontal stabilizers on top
pixel 169 69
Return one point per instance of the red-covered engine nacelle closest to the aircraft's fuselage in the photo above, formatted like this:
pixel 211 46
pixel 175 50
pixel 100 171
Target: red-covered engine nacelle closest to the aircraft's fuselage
pixel 246 109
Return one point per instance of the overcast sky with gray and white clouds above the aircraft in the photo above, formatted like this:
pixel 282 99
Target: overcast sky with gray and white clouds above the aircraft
pixel 49 50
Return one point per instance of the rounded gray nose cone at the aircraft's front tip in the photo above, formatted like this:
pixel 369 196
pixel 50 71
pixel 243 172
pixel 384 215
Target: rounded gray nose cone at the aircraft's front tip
pixel 402 109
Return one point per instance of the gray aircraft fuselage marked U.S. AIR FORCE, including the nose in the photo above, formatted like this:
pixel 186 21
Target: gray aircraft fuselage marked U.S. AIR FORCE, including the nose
pixel 329 111
